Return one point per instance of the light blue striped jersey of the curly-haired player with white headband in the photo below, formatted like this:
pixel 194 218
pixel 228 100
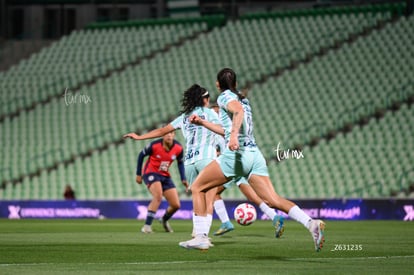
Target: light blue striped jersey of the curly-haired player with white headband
pixel 200 142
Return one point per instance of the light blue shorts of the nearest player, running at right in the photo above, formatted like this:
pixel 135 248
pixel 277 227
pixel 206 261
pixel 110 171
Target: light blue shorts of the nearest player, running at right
pixel 242 163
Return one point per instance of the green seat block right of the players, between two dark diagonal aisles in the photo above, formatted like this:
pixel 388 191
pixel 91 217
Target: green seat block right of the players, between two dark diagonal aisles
pixel 339 88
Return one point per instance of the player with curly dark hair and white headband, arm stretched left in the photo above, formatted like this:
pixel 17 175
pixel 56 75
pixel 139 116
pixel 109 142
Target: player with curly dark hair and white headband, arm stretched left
pixel 200 142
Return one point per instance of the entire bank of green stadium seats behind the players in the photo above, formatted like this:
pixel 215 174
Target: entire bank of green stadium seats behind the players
pixel 330 91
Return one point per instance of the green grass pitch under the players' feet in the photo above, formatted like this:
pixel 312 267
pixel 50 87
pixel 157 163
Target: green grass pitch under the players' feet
pixel 118 247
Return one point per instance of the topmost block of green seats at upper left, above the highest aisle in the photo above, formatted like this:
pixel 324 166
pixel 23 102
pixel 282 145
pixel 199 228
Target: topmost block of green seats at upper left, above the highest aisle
pixel 83 56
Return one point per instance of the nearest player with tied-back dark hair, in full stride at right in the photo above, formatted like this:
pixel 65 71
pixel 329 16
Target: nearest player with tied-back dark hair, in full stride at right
pixel 241 158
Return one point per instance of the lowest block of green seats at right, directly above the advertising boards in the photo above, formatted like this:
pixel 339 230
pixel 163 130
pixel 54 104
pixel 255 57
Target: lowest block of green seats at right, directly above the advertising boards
pixel 368 162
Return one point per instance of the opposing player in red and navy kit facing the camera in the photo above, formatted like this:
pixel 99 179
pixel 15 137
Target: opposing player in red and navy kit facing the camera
pixel 161 153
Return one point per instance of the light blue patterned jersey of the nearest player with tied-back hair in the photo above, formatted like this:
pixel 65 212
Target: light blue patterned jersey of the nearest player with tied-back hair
pixel 246 138
